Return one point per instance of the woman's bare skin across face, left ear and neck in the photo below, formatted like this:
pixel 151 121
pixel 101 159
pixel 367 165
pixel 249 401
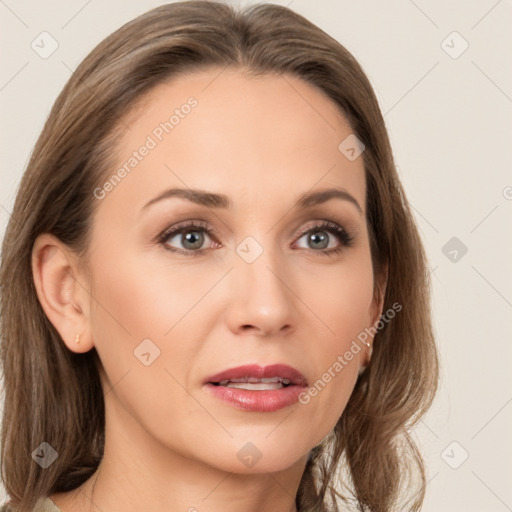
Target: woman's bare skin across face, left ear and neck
pixel 262 141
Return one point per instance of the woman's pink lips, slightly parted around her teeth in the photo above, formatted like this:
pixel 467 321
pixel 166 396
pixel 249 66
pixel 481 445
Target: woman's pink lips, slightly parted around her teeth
pixel 262 400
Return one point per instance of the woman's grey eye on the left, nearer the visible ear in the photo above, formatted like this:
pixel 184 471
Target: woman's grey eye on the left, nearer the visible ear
pixel 191 236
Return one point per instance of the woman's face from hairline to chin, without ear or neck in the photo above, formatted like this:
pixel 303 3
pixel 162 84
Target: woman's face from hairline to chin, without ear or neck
pixel 186 288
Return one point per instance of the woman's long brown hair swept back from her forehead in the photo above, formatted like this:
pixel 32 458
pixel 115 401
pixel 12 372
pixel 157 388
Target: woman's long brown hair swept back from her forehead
pixel 54 395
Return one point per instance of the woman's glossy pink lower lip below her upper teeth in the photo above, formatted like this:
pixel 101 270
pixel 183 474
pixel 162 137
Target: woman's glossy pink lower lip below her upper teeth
pixel 258 401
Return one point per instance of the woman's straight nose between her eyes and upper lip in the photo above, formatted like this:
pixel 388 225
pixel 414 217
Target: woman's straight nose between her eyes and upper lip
pixel 261 298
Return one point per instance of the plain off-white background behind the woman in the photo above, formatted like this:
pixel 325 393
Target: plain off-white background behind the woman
pixel 449 116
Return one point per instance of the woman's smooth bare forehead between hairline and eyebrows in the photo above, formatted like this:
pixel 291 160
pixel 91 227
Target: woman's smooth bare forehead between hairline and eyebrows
pixel 252 137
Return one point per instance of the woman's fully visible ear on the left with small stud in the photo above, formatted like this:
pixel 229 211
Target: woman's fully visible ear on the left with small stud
pixel 62 291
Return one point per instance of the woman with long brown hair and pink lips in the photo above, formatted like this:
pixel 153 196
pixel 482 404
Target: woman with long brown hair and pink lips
pixel 214 295
